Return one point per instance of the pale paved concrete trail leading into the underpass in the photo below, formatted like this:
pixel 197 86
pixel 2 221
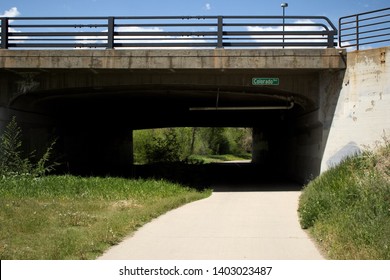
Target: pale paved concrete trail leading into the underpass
pixel 236 224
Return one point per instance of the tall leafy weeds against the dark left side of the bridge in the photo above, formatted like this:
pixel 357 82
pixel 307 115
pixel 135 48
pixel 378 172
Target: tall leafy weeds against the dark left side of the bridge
pixel 13 160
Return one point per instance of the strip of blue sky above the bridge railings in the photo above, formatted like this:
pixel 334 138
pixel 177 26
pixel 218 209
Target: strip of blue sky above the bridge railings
pixel 333 9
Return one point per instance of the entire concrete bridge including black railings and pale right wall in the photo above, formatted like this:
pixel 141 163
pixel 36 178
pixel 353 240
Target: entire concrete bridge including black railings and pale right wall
pixel 92 90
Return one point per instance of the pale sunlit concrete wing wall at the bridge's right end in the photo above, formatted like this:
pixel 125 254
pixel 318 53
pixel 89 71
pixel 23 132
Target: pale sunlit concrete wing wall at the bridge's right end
pixel 362 114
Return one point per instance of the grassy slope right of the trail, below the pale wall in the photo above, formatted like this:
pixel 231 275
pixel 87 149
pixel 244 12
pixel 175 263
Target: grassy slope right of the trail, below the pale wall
pixel 347 208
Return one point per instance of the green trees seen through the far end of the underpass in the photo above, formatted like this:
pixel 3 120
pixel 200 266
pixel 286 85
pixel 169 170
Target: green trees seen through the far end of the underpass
pixel 178 144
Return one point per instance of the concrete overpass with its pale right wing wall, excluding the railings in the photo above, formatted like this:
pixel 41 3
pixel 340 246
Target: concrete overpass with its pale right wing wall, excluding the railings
pixel 93 99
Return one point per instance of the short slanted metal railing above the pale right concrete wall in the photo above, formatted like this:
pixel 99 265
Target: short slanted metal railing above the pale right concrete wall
pixel 370 28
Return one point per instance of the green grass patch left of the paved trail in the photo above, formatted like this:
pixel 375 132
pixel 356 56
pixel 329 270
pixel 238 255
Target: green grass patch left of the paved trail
pixel 67 217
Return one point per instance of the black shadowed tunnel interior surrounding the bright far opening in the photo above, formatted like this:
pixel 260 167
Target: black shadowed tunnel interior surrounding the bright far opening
pixel 95 127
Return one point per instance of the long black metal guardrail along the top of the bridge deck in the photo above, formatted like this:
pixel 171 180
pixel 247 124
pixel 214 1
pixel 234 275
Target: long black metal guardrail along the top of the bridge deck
pixel 167 32
